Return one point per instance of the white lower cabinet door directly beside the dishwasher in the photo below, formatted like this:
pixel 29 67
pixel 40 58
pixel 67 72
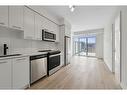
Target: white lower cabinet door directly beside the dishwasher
pixel 20 72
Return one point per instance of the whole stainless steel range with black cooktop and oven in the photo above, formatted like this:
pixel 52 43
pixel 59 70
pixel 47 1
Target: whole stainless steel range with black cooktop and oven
pixel 53 61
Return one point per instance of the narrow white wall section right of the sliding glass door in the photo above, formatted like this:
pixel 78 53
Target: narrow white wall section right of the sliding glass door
pixel 99 45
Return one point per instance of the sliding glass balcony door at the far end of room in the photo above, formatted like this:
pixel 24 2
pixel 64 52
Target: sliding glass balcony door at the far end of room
pixel 85 46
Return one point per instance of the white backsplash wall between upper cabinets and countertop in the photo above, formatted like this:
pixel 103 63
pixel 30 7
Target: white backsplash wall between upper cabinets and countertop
pixel 16 43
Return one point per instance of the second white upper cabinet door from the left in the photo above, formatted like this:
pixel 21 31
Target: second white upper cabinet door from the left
pixel 16 17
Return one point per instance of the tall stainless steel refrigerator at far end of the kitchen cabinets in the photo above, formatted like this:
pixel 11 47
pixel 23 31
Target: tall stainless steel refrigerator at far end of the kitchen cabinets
pixel 67 50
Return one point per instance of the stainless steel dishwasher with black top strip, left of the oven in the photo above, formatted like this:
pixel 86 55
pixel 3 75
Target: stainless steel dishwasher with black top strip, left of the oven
pixel 38 67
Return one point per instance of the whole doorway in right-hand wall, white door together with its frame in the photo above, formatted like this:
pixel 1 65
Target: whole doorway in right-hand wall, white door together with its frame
pixel 116 48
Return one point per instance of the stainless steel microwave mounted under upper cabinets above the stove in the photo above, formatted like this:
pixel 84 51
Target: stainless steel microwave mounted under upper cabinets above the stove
pixel 47 36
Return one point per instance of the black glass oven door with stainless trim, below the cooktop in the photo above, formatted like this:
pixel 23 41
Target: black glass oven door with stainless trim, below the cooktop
pixel 53 63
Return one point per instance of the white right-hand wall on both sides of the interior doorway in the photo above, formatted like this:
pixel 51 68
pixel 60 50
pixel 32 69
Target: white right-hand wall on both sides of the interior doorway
pixel 123 50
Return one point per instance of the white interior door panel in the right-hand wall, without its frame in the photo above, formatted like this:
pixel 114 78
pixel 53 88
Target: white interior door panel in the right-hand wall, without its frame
pixel 117 47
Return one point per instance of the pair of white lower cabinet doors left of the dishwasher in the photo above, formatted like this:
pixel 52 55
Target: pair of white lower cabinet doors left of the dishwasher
pixel 14 73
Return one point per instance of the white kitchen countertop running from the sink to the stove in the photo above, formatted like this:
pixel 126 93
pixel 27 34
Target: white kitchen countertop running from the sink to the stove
pixel 23 55
